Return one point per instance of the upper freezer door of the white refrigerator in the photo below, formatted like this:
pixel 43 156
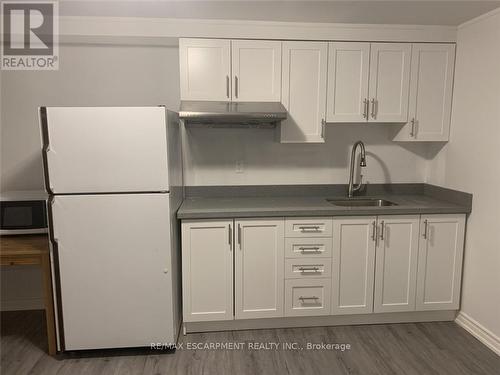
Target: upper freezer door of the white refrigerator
pixel 105 149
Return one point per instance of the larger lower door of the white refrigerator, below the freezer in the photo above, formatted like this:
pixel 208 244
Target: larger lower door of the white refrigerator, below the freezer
pixel 114 259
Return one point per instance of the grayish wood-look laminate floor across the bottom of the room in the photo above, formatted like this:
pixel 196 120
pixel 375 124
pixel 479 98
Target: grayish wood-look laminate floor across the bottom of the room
pixel 420 348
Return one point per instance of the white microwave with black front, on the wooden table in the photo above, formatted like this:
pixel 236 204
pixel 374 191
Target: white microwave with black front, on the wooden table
pixel 23 212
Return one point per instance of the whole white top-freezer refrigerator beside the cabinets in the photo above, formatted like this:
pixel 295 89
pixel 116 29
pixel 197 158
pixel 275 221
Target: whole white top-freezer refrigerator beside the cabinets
pixel 114 176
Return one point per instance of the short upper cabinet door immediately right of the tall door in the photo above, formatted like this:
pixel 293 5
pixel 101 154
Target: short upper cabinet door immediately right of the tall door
pixel 348 67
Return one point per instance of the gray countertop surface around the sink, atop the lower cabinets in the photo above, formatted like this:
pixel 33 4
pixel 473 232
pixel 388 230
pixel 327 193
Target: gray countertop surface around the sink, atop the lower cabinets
pixel 232 207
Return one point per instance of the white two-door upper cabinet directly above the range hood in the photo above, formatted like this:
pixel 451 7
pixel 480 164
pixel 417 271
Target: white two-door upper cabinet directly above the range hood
pixel 225 70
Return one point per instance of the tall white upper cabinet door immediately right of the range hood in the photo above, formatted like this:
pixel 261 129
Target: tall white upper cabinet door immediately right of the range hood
pixel 304 91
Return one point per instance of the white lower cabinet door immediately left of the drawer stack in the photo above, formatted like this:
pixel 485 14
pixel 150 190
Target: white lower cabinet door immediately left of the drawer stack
pixel 259 268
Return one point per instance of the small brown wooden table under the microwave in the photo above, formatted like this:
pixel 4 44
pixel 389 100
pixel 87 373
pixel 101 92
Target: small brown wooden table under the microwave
pixel 32 249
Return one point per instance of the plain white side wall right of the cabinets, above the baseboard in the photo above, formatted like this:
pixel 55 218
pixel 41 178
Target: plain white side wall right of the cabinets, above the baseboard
pixel 472 163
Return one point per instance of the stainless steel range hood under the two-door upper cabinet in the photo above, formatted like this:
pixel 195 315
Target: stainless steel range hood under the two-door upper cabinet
pixel 232 114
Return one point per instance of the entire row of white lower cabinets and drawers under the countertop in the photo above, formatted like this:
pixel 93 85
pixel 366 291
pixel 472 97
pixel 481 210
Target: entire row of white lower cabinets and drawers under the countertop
pixel 320 266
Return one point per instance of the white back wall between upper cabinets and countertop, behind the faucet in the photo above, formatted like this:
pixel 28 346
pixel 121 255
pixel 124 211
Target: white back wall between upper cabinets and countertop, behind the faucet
pixel 212 156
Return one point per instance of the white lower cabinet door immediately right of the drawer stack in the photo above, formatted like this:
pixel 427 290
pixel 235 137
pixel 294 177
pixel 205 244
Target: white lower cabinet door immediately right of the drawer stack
pixel 353 265
